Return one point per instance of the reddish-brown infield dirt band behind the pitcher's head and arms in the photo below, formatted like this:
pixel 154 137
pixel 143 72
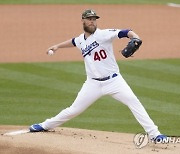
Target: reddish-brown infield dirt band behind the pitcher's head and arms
pixel 27 31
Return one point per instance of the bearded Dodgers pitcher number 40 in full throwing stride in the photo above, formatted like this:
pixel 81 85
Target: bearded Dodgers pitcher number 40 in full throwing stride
pixel 103 75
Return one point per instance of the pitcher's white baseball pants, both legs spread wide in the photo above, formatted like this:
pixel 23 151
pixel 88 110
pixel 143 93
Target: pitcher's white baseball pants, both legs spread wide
pixel 92 90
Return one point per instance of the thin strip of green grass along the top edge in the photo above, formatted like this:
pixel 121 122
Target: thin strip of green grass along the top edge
pixel 88 1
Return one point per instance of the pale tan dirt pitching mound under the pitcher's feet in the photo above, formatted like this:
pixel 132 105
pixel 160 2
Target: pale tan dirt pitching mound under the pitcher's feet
pixel 75 141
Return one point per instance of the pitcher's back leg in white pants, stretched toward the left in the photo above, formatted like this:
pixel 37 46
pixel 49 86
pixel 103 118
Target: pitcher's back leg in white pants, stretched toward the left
pixel 88 94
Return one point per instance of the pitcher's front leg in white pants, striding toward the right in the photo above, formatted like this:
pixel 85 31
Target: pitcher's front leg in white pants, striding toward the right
pixel 124 94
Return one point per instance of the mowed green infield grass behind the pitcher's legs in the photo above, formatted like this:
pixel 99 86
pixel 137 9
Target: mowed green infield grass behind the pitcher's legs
pixel 32 92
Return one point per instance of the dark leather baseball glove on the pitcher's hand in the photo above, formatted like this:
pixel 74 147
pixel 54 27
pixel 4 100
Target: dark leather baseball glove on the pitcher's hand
pixel 132 47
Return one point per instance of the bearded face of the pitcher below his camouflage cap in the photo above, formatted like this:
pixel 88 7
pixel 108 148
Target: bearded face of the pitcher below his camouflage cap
pixel 89 25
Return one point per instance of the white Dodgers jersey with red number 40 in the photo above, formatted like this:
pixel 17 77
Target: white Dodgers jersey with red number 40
pixel 98 54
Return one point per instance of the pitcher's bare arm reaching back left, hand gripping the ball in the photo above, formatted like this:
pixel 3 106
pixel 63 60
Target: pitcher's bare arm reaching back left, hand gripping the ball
pixel 65 44
